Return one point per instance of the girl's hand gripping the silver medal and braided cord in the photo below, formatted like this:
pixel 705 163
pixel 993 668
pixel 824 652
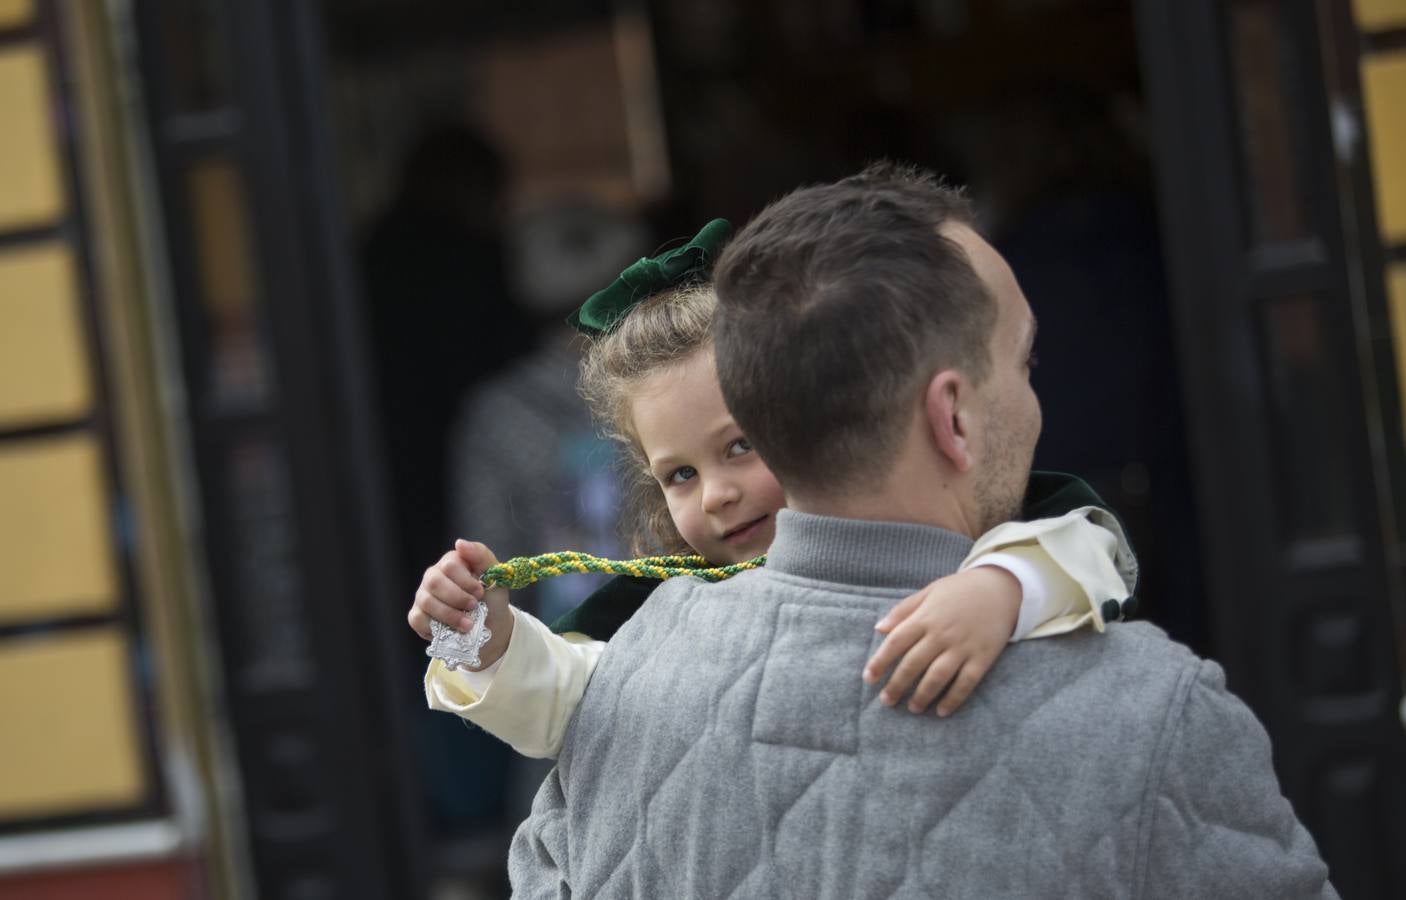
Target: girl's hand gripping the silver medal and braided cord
pixel 451 591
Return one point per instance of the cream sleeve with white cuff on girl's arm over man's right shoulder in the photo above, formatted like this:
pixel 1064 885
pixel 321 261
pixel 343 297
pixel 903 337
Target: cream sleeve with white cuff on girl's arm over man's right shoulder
pixel 1082 562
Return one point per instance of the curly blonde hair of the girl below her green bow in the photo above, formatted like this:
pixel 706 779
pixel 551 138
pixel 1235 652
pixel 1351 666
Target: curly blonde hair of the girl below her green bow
pixel 660 333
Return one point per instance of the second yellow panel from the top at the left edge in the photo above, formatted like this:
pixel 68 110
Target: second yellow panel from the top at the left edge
pixel 30 189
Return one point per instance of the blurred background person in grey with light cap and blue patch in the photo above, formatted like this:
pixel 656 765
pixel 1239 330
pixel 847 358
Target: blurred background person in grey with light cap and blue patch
pixel 527 466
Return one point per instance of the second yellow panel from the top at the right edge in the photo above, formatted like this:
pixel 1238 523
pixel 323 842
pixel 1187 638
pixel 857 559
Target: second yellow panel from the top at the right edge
pixel 1384 95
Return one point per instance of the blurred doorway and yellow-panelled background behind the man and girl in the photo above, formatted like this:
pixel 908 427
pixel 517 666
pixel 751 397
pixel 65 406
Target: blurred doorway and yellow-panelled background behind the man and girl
pixel 282 300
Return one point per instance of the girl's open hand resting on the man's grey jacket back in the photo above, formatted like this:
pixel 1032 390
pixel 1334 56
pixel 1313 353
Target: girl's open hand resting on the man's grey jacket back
pixel 948 635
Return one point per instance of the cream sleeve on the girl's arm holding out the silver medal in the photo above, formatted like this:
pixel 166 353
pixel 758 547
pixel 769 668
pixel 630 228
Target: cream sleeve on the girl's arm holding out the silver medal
pixel 529 697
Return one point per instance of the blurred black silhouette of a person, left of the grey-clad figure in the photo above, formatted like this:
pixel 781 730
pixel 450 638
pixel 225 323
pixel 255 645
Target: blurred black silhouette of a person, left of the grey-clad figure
pixel 442 319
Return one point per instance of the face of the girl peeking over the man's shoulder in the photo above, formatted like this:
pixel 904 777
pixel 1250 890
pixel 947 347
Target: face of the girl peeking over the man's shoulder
pixel 722 499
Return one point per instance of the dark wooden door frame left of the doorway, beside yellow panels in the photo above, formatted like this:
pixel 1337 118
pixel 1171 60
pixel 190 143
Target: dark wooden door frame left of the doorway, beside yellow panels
pixel 328 790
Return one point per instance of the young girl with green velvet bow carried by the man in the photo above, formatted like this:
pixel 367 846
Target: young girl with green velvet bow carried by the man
pixel 698 487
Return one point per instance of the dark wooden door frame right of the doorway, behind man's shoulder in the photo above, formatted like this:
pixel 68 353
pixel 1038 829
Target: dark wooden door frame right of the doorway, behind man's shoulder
pixel 1310 629
